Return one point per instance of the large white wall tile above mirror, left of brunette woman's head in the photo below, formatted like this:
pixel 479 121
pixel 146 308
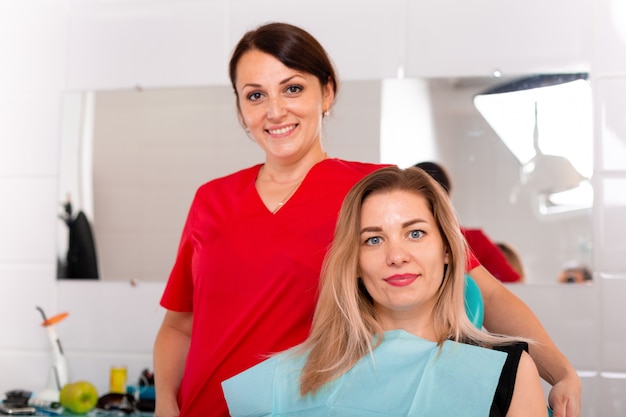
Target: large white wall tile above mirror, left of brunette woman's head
pixel 150 45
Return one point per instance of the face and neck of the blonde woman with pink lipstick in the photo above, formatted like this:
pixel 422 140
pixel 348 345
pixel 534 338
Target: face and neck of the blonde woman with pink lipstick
pixel 401 258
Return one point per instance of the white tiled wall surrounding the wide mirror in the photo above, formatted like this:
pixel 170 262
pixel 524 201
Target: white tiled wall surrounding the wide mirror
pixel 49 46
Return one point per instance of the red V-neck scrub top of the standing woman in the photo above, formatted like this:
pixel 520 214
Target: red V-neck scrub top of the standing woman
pixel 251 277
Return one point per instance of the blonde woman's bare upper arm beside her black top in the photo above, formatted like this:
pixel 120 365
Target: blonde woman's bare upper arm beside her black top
pixel 527 398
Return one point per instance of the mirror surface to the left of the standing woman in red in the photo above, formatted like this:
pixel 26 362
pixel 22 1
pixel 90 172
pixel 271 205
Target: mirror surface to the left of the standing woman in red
pixel 132 161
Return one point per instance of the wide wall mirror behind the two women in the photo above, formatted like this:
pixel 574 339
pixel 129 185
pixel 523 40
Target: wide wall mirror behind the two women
pixel 132 160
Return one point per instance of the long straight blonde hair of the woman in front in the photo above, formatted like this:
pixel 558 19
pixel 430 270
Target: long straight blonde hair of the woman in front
pixel 345 325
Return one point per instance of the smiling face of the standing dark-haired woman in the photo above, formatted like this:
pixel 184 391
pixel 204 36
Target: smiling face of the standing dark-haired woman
pixel 281 107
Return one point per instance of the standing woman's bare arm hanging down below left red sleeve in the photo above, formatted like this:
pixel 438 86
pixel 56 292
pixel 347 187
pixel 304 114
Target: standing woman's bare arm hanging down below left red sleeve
pixel 170 353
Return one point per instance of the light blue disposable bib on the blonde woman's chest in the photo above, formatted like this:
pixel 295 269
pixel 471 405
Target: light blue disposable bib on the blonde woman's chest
pixel 408 376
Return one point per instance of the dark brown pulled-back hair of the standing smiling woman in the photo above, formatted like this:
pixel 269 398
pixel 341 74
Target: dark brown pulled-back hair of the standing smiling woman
pixel 294 47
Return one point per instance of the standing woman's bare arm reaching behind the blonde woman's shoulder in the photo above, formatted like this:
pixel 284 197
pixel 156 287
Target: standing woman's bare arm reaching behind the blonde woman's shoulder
pixel 505 313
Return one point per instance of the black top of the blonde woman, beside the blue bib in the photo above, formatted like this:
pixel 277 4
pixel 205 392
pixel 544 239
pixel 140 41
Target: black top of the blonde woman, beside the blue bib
pixel 506 384
